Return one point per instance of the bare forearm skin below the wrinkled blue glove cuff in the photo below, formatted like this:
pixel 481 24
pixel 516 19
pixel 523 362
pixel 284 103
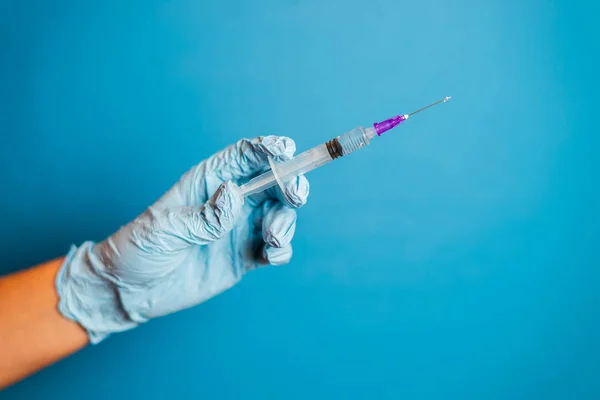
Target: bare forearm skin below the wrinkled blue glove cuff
pixel 33 334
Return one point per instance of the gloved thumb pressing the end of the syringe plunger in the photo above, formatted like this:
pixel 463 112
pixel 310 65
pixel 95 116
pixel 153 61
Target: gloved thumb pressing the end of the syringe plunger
pixel 213 220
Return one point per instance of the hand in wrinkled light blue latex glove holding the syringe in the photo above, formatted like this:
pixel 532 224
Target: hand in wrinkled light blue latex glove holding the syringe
pixel 195 242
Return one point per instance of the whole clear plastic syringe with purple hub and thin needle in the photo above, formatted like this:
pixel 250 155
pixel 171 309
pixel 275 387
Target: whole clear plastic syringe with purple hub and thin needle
pixel 320 155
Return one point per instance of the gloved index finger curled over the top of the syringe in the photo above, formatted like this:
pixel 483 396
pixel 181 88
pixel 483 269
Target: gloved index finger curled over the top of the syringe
pixel 249 156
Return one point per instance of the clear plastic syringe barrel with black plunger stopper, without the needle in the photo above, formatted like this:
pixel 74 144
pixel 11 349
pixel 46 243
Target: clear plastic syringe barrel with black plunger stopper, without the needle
pixel 310 159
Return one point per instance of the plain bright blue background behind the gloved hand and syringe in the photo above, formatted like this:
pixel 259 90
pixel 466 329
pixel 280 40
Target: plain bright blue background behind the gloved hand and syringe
pixel 457 257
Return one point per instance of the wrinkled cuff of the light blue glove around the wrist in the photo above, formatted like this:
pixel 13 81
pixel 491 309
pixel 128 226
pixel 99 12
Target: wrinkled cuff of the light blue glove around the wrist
pixel 87 298
